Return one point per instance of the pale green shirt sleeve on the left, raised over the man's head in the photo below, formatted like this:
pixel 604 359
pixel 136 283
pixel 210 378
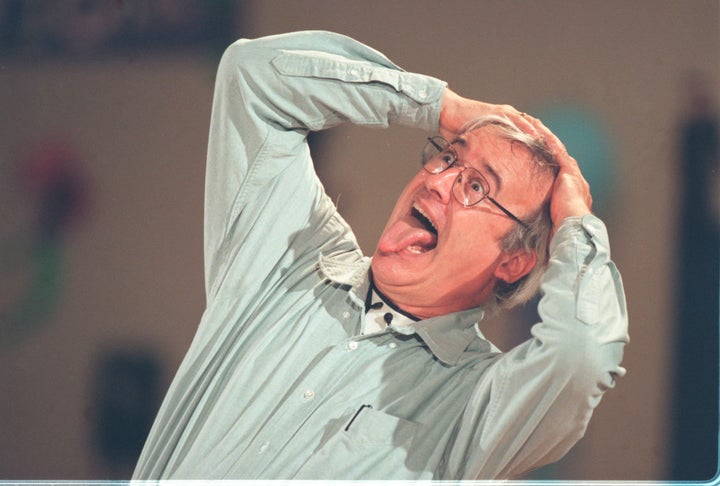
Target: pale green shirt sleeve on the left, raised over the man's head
pixel 262 194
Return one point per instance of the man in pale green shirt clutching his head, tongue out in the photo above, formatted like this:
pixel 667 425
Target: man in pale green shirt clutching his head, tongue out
pixel 313 361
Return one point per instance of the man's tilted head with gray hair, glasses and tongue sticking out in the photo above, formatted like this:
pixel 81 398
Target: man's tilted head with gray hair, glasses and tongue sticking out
pixel 439 255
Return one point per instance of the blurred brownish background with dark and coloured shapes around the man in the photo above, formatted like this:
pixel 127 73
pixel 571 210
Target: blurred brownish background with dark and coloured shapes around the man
pixel 104 111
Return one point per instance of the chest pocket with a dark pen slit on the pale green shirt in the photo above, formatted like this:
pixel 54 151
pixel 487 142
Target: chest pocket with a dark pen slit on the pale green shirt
pixel 374 446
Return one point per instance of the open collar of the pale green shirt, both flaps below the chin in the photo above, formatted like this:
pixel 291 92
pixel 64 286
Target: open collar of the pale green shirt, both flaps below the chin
pixel 447 336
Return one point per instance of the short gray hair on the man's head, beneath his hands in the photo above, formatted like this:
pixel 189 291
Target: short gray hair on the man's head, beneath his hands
pixel 534 238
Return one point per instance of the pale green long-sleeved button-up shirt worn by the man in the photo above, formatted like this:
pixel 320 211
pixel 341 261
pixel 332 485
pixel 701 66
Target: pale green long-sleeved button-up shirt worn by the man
pixel 280 382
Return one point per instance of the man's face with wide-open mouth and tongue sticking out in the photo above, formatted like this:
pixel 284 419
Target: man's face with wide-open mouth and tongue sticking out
pixel 436 256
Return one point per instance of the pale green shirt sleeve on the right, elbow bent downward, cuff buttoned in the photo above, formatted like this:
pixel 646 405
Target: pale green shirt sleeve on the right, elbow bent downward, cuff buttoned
pixel 535 402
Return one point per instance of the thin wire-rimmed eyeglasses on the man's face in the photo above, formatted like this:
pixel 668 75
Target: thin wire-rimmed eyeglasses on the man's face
pixel 470 187
